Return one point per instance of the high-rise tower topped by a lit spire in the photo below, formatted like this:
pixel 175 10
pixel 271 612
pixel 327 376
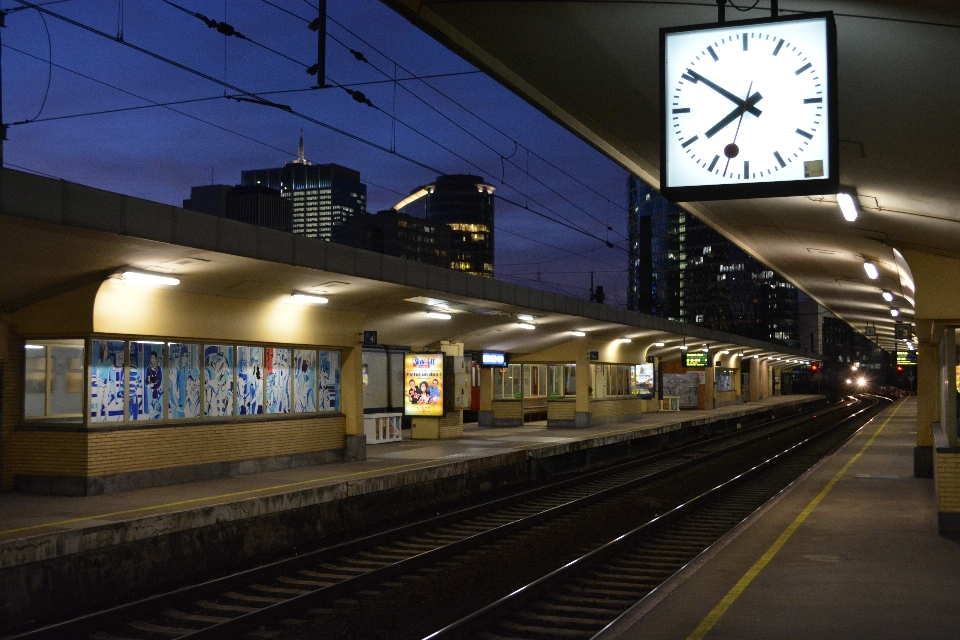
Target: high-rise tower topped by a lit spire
pixel 323 197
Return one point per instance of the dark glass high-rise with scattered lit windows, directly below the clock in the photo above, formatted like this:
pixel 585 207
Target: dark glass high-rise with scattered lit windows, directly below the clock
pixel 683 270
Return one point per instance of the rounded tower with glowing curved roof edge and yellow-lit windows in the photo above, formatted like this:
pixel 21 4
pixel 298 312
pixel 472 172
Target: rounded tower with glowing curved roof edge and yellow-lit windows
pixel 465 204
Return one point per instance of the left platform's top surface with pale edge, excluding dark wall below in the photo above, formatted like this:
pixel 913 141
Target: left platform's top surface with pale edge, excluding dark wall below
pixel 37 527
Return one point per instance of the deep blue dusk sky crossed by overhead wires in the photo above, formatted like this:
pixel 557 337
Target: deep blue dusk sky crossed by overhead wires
pixel 158 153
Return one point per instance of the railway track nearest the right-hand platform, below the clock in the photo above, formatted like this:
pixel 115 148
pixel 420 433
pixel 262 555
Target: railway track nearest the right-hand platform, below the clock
pixel 585 597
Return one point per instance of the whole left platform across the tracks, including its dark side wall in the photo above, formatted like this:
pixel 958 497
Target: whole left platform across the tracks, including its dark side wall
pixel 107 546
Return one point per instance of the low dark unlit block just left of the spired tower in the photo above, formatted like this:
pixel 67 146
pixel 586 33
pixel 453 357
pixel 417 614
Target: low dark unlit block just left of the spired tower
pixel 255 204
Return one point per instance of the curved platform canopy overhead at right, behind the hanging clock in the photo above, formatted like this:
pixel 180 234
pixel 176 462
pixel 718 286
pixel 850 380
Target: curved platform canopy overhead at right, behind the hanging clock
pixel 594 68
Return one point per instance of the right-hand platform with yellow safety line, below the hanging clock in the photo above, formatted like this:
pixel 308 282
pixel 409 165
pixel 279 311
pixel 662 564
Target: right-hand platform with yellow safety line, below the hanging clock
pixel 850 550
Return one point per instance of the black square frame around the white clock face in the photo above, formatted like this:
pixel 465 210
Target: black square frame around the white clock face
pixel 783 188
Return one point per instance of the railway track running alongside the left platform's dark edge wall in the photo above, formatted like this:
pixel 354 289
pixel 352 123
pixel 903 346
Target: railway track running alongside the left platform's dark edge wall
pixel 286 591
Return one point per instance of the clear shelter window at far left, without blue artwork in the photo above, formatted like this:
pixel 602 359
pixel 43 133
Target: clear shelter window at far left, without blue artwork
pixel 53 379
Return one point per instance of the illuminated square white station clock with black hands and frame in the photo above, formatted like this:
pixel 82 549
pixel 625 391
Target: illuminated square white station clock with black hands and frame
pixel 749 109
